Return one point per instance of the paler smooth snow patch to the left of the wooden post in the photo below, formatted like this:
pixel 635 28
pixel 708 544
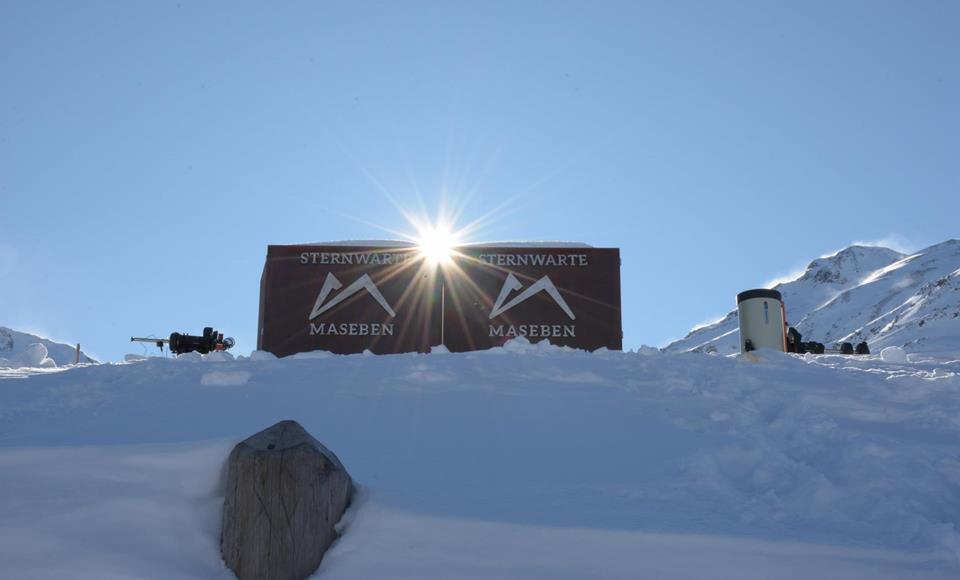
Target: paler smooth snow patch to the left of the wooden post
pixel 148 511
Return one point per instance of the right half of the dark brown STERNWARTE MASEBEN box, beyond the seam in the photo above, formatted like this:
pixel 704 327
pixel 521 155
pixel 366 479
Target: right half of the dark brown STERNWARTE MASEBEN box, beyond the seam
pixel 569 296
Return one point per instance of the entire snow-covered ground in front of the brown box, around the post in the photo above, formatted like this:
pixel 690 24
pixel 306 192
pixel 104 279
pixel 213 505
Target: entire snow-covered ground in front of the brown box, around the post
pixel 519 462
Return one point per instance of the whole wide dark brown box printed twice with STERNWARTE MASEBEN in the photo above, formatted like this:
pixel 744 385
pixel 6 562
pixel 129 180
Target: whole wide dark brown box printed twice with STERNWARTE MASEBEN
pixel 347 299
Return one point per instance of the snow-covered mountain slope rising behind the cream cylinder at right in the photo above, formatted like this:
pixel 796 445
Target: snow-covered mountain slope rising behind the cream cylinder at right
pixel 863 293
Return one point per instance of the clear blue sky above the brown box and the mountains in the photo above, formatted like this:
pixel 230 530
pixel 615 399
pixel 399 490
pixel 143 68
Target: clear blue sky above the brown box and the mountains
pixel 149 151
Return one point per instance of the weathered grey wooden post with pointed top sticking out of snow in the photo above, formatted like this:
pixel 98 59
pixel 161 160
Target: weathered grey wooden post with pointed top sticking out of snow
pixel 285 492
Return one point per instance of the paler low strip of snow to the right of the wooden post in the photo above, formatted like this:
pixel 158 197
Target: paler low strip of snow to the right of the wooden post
pixel 461 548
